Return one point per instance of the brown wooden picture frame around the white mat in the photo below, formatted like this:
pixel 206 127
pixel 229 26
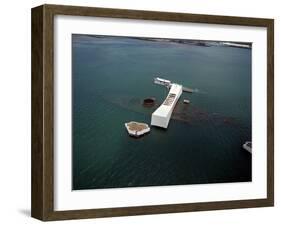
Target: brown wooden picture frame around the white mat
pixel 42 203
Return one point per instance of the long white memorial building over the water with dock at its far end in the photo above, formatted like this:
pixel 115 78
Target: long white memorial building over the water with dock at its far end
pixel 162 115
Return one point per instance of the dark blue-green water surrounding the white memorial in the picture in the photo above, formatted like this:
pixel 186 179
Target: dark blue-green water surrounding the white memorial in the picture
pixel 203 143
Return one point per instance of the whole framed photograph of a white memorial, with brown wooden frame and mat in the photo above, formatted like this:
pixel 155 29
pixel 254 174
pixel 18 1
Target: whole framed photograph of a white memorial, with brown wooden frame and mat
pixel 142 112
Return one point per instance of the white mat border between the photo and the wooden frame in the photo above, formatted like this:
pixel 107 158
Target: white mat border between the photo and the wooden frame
pixel 67 199
